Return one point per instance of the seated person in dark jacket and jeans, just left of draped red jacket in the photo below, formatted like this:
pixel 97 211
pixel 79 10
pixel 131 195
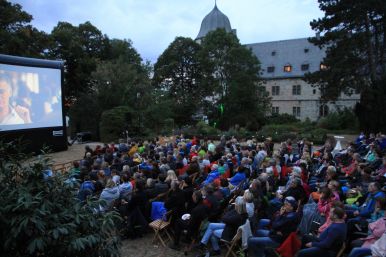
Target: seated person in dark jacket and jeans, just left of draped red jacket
pixel 282 226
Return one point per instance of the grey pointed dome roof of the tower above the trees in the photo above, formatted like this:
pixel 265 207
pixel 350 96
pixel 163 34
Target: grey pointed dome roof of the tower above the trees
pixel 212 21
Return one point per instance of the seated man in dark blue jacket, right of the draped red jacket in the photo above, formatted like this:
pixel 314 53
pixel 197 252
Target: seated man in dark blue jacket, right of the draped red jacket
pixel 331 240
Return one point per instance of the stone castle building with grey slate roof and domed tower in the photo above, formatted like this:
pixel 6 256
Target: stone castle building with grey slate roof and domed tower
pixel 284 64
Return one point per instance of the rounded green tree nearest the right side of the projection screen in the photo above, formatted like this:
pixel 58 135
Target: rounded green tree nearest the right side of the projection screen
pixel 119 81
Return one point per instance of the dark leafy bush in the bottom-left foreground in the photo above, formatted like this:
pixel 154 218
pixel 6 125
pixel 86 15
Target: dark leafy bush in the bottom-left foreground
pixel 40 216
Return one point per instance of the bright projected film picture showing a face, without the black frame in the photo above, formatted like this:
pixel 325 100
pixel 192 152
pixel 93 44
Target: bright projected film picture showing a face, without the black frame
pixel 30 97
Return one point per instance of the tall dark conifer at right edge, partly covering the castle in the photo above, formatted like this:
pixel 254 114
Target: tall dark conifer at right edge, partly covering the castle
pixel 353 34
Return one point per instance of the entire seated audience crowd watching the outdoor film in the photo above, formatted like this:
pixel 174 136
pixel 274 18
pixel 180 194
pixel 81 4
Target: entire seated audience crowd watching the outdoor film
pixel 294 198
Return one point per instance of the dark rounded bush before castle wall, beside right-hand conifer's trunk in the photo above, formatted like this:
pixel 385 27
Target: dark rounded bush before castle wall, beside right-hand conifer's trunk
pixel 341 120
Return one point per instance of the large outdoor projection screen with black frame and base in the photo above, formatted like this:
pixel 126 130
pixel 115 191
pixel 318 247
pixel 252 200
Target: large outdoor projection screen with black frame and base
pixel 31 102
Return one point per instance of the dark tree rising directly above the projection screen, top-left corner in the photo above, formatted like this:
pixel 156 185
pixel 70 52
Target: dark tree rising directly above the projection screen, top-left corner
pixel 17 35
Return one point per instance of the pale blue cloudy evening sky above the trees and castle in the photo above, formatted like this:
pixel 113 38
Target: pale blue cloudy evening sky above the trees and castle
pixel 153 24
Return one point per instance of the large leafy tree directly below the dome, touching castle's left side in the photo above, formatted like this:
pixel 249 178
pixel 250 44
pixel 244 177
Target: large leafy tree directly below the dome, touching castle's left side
pixel 231 72
